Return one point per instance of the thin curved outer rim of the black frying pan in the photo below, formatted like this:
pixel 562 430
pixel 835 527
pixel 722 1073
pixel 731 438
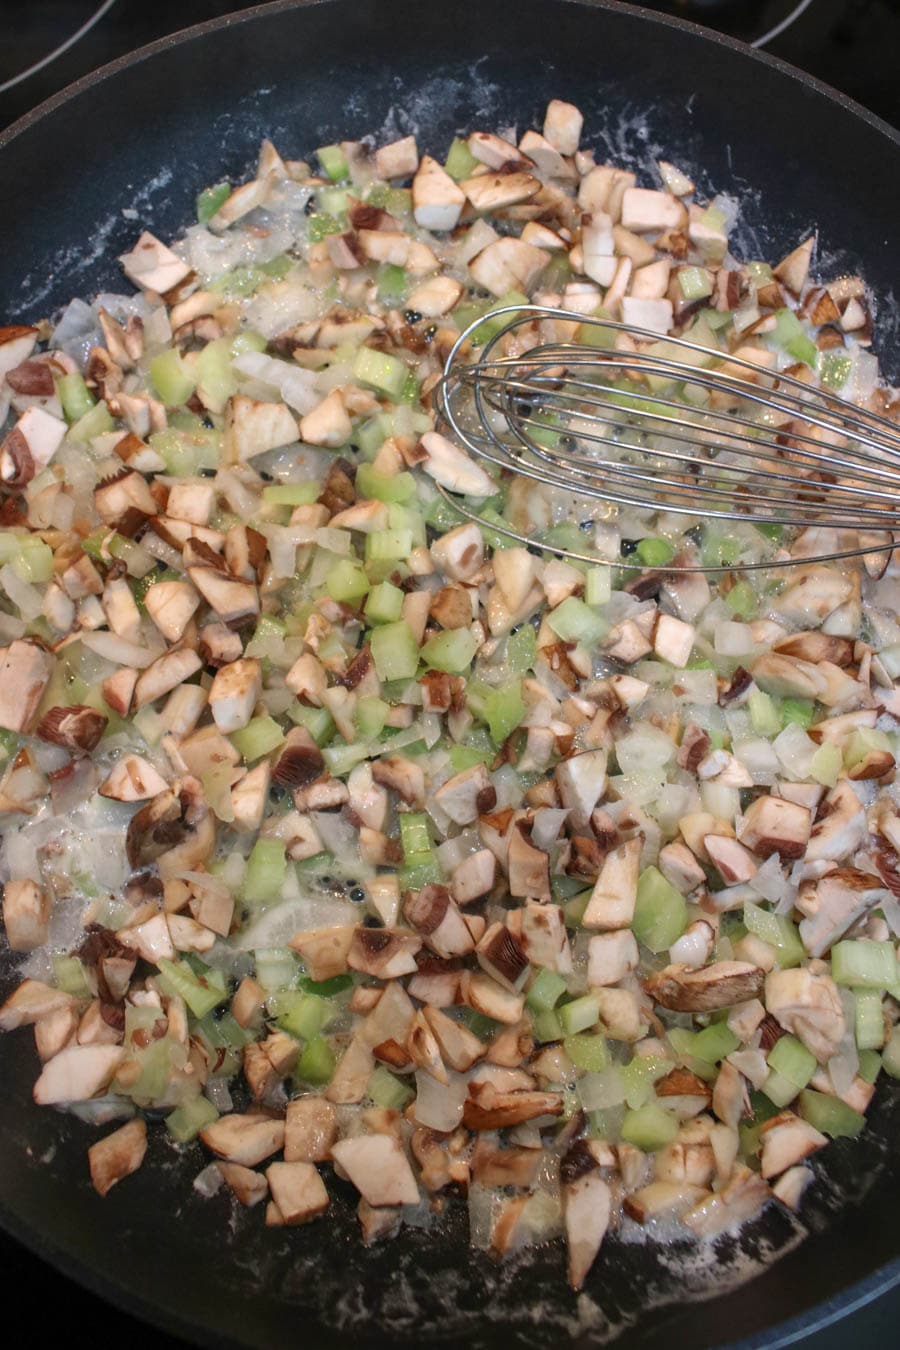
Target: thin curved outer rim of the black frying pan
pixel 856 1295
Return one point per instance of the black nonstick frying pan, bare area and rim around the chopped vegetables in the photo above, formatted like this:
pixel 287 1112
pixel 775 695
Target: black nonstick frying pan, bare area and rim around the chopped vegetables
pixel 146 134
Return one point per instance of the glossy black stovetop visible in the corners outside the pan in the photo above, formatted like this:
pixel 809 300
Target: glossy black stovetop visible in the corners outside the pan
pixel 852 45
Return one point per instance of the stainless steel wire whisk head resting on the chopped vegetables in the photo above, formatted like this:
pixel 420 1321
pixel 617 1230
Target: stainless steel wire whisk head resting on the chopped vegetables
pixel 608 411
